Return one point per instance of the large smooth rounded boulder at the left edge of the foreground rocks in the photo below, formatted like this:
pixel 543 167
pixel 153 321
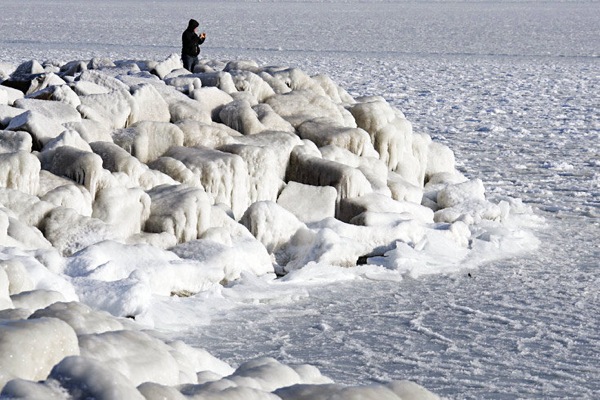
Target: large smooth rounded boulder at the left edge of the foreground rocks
pixel 30 348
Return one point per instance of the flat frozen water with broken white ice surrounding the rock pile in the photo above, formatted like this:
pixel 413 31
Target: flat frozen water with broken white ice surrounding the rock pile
pixel 511 87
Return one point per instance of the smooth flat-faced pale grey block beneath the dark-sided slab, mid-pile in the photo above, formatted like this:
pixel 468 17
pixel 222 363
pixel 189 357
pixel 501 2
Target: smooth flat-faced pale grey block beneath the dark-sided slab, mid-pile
pixel 308 203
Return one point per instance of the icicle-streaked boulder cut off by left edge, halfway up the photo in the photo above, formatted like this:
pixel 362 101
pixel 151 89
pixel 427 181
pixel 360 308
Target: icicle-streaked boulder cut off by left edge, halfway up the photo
pixel 20 171
